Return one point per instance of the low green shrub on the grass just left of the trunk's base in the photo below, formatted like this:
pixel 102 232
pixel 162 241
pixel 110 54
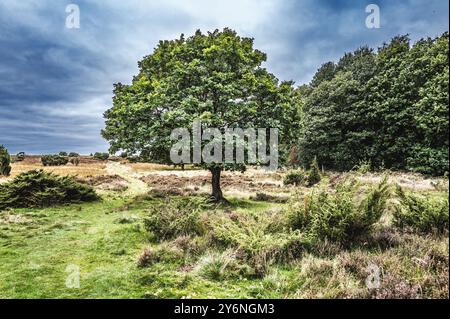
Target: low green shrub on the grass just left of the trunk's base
pixel 175 218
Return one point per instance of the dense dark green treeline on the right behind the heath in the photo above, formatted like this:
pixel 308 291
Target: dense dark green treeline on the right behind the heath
pixel 388 108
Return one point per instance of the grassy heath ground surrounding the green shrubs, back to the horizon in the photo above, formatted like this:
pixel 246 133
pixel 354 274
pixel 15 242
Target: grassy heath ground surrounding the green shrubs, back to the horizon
pixel 117 257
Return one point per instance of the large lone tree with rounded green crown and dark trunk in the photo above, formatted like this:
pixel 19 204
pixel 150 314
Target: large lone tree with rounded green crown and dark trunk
pixel 216 78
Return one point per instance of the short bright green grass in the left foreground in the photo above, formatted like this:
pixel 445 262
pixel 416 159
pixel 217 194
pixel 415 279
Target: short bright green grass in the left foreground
pixel 34 255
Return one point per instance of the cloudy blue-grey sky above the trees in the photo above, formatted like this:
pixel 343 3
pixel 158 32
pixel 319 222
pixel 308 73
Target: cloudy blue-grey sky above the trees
pixel 56 82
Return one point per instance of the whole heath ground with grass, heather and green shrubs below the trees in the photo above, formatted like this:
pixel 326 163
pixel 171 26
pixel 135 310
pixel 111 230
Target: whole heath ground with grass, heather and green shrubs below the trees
pixel 160 237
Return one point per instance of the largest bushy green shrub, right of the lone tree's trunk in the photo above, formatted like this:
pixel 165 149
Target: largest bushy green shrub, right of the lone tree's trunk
pixel 340 216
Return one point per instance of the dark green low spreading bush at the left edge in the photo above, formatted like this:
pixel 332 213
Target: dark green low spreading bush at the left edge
pixel 38 188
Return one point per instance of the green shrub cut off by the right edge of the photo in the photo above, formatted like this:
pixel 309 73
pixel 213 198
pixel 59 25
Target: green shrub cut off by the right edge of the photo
pixel 421 213
